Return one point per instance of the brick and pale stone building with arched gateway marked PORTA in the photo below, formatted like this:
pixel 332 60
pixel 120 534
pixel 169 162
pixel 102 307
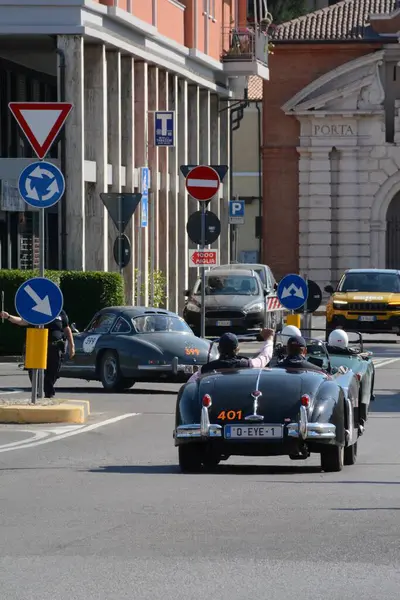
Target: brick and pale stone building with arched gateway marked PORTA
pixel 331 154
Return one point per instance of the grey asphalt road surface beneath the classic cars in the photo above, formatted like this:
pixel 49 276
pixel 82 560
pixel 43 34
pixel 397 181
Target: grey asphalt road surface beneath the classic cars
pixel 101 511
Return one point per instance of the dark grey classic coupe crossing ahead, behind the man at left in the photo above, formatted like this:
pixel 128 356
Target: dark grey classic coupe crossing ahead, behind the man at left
pixel 125 344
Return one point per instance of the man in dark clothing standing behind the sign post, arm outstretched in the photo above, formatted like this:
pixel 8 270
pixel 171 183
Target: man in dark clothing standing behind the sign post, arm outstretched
pixel 59 329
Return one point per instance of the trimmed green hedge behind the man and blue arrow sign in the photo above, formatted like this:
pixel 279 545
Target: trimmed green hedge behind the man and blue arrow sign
pixel 84 294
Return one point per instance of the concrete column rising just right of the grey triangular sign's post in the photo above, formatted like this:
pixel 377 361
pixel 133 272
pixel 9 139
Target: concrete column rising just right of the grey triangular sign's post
pixel 128 161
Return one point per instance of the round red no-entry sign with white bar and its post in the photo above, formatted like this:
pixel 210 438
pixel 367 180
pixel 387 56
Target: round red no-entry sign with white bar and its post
pixel 203 183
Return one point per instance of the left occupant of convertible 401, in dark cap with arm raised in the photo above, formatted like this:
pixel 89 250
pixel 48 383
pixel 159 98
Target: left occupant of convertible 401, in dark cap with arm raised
pixel 228 347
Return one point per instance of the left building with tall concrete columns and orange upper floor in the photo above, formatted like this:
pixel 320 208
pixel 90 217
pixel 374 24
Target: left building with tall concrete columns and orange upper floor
pixel 119 61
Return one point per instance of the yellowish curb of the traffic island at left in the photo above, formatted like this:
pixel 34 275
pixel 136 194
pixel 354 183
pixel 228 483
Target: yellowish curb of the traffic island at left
pixel 70 411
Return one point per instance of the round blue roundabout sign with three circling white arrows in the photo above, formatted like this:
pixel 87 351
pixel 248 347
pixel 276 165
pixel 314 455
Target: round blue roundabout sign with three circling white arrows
pixel 41 184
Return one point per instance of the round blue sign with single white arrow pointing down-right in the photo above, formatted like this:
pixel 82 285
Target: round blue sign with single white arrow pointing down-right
pixel 39 301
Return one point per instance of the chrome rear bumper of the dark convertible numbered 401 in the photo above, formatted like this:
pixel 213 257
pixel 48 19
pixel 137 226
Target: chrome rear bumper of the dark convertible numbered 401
pixel 303 429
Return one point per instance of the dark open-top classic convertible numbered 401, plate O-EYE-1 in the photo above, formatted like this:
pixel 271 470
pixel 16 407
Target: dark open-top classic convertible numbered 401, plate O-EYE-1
pixel 269 412
